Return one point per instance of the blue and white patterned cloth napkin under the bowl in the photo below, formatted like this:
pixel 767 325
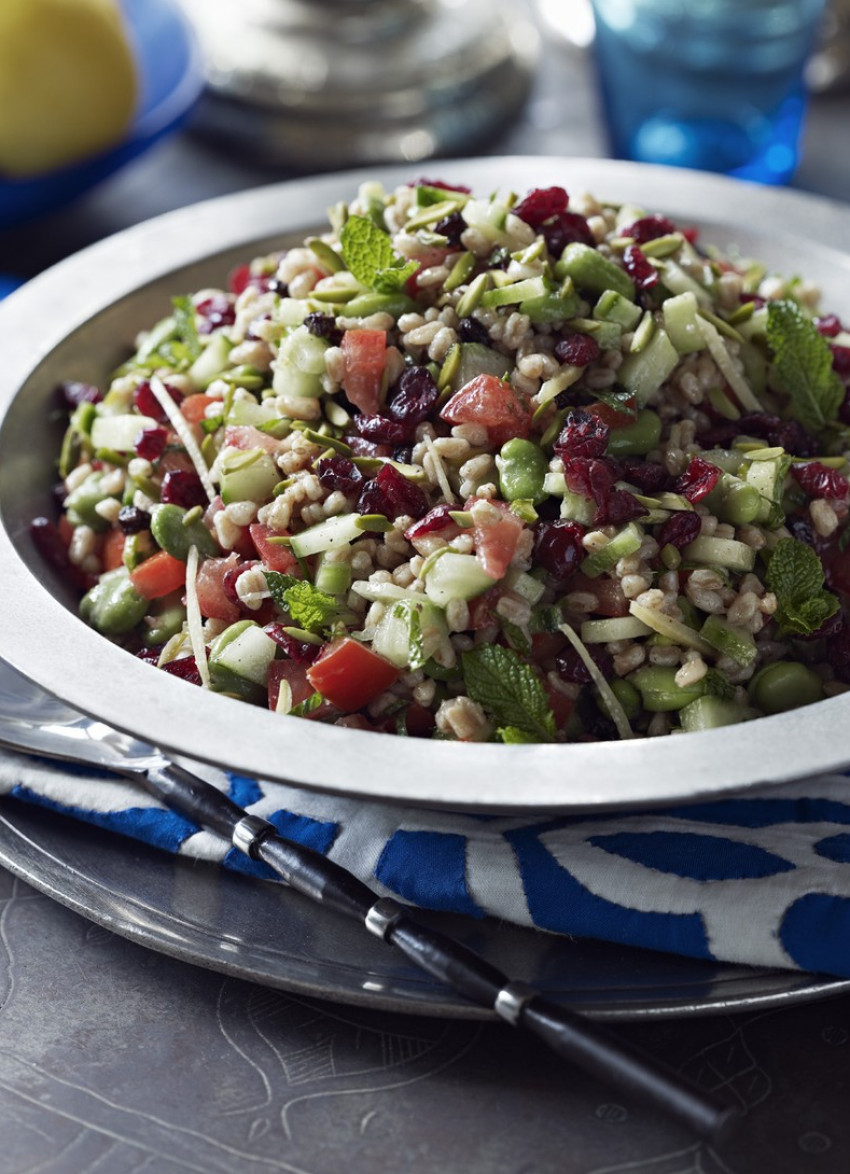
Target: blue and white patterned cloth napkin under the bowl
pixel 763 880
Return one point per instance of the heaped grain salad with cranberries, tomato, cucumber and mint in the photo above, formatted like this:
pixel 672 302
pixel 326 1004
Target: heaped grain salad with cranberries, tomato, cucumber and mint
pixel 509 468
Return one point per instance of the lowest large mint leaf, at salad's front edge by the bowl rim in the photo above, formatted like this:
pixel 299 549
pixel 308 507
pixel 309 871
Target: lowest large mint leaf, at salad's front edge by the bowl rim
pixel 509 690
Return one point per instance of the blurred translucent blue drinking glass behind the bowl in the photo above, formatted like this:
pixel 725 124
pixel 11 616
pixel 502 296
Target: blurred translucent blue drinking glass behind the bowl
pixel 712 85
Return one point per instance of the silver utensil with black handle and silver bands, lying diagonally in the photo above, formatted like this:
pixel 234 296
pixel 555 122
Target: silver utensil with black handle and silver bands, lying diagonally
pixel 35 723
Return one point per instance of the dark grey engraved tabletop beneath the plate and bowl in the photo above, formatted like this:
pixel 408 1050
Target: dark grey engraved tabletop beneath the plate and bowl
pixel 117 1060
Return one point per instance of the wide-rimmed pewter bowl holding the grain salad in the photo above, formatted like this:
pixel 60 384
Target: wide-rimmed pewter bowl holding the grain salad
pixel 78 322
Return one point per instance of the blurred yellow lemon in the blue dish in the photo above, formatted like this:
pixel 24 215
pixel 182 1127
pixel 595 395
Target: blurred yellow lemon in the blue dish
pixel 68 83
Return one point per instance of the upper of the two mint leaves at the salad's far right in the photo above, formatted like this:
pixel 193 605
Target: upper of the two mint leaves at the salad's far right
pixel 804 366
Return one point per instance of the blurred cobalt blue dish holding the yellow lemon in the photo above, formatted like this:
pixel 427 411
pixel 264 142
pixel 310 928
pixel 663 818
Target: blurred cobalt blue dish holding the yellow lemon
pixel 171 78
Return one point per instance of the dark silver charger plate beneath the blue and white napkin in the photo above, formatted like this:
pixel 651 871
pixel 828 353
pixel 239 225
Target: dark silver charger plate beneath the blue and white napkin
pixel 266 934
